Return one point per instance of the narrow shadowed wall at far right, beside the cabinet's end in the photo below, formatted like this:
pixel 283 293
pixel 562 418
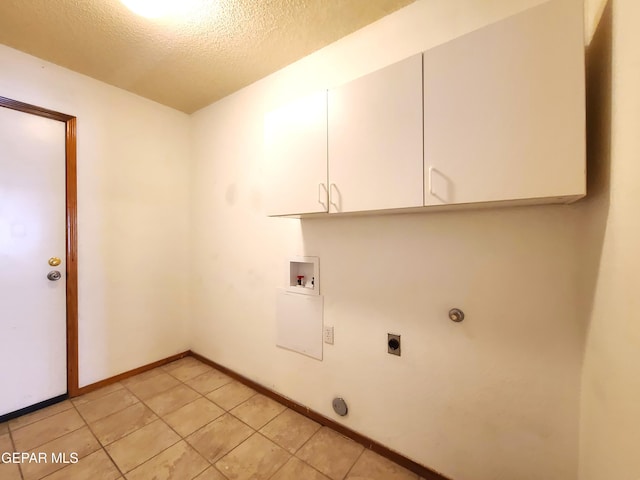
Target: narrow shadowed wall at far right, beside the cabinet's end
pixel 610 433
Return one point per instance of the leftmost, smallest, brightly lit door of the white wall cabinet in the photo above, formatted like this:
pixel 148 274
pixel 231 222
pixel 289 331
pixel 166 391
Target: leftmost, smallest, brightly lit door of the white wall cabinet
pixel 295 163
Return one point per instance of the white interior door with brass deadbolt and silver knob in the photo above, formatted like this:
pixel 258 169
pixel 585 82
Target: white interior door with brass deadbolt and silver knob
pixel 32 231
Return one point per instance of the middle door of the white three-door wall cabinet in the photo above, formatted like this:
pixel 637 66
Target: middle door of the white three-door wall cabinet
pixel 375 140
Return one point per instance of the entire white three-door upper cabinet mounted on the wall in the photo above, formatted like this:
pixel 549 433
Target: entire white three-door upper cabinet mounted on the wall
pixel 497 115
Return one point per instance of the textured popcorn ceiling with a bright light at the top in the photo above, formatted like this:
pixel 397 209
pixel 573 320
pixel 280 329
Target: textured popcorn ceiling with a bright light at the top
pixel 184 62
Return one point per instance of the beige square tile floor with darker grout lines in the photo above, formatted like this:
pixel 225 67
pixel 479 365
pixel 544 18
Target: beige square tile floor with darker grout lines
pixel 185 421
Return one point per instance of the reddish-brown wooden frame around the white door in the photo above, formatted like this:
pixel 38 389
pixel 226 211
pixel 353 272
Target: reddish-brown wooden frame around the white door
pixel 71 231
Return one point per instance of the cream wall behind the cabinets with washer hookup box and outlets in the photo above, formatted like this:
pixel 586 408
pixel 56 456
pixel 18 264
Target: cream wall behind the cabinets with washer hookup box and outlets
pixel 495 397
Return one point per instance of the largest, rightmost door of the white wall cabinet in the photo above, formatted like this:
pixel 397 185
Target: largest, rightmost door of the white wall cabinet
pixel 504 110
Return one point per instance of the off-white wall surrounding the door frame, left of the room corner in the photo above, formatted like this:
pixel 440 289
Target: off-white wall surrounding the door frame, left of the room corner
pixel 133 229
